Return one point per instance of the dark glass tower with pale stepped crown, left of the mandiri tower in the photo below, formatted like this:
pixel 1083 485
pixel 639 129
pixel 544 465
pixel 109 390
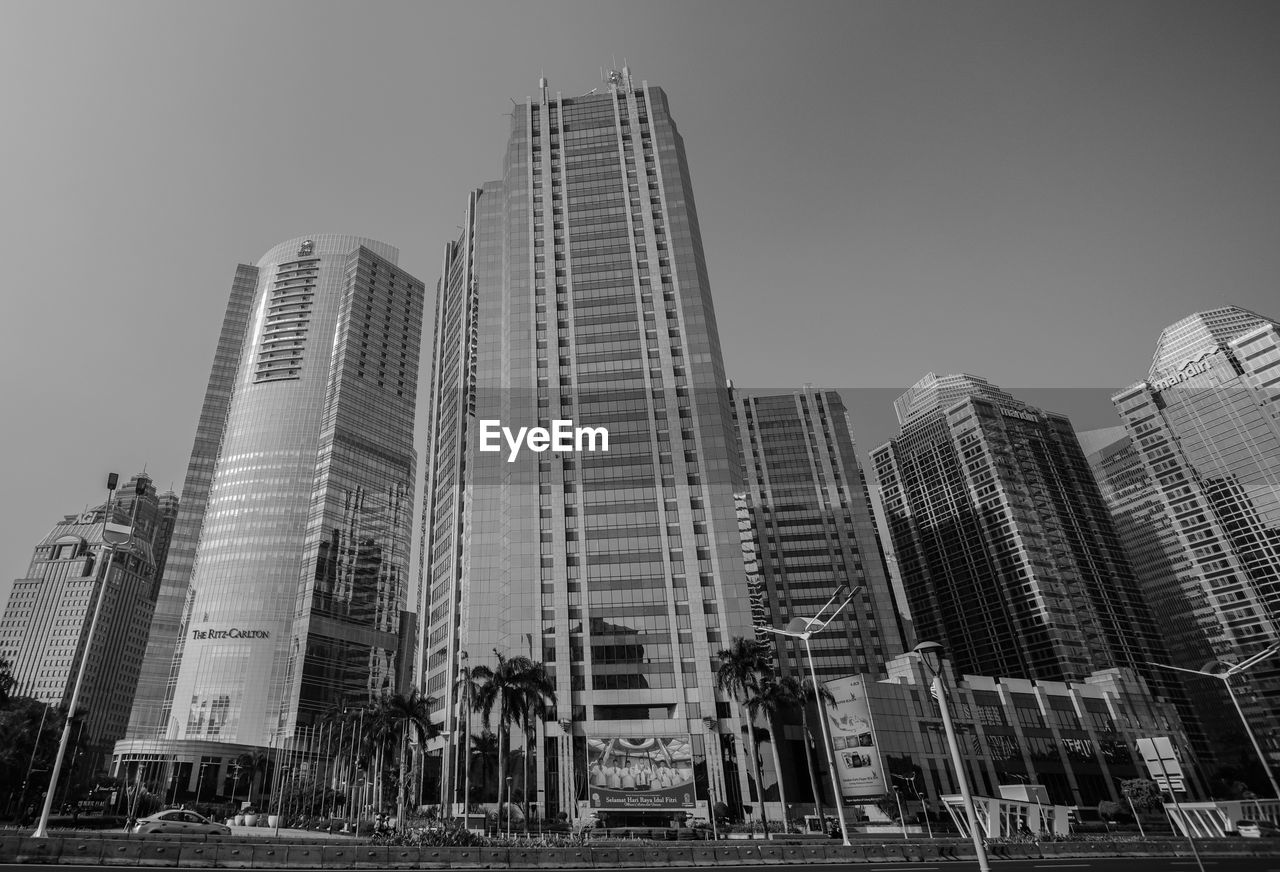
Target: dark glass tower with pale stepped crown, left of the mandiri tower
pixel 1008 554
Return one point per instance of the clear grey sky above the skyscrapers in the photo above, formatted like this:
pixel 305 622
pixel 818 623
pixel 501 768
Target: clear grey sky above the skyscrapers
pixel 1028 191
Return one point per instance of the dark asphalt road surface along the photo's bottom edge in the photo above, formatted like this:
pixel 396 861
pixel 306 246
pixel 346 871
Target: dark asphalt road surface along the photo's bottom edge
pixel 1068 865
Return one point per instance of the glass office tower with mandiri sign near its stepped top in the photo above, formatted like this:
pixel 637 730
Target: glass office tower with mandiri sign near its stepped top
pixel 1206 427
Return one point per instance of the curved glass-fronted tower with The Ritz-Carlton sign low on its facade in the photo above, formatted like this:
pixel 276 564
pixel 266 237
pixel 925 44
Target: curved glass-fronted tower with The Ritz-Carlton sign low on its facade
pixel 299 579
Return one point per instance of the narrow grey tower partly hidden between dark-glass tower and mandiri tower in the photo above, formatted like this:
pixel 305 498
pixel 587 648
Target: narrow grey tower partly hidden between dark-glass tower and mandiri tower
pixel 1164 570
